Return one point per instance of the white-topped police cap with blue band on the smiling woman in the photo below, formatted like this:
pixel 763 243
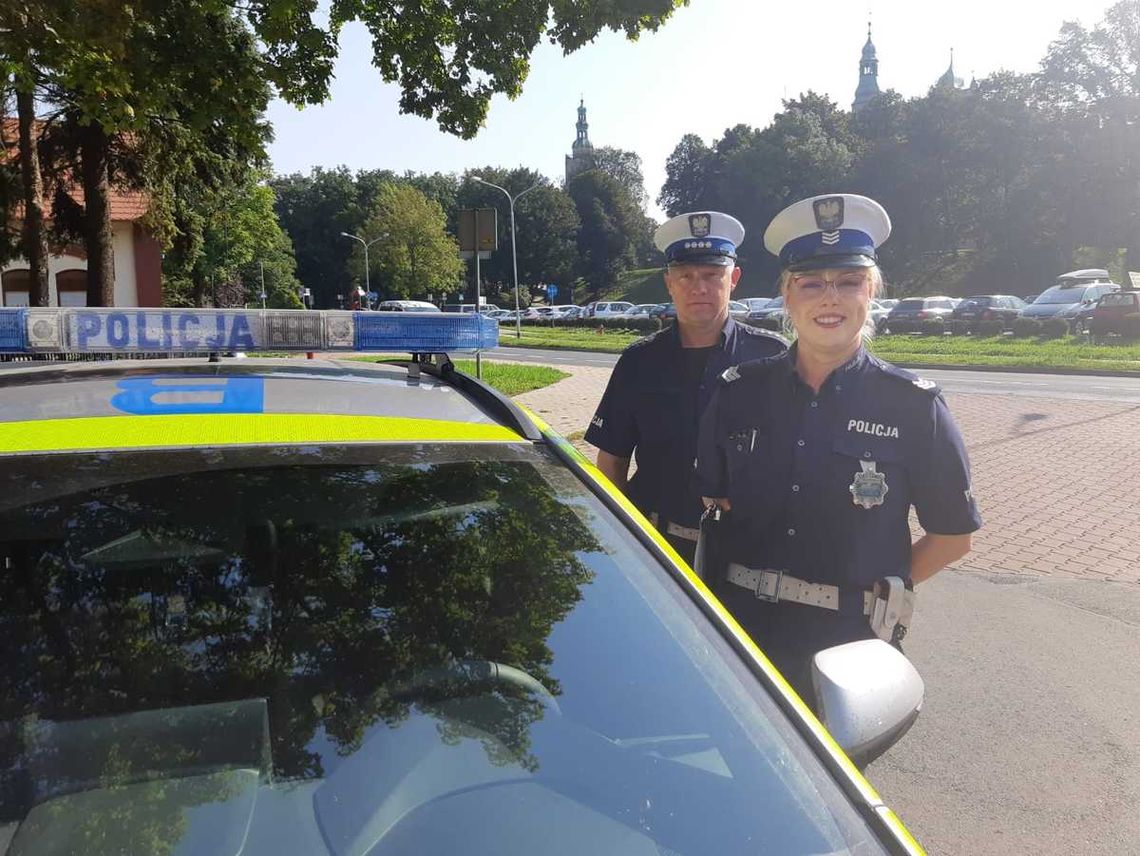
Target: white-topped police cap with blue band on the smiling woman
pixel 834 231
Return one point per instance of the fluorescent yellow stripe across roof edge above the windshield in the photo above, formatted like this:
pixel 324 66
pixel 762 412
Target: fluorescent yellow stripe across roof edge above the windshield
pixel 139 433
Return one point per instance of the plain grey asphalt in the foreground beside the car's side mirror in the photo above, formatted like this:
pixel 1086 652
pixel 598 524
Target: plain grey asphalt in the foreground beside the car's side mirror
pixel 1030 736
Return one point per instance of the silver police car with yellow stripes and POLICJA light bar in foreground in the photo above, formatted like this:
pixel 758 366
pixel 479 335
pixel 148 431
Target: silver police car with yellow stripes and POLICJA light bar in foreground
pixel 308 607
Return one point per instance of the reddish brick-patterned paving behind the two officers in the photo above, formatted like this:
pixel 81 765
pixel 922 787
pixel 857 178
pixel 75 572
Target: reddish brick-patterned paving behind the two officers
pixel 1057 482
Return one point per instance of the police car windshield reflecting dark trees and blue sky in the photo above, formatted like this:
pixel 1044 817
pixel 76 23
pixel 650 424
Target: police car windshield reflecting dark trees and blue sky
pixel 371 650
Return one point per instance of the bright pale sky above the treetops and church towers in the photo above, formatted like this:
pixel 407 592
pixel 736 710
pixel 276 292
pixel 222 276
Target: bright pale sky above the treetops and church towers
pixel 715 64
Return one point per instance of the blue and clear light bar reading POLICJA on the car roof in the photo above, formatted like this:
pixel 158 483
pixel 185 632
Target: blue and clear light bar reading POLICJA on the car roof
pixel 200 331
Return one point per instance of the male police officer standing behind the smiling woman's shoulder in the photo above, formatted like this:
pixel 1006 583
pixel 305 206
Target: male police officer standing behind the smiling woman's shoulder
pixel 661 385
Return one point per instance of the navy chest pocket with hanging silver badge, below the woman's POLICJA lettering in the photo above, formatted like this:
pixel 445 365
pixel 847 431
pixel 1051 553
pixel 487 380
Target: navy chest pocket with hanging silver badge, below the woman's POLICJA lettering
pixel 870 477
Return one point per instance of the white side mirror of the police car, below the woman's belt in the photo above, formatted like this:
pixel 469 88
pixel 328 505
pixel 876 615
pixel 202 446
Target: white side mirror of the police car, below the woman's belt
pixel 868 696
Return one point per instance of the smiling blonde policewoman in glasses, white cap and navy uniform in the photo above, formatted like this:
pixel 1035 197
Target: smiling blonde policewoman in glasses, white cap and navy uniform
pixel 818 455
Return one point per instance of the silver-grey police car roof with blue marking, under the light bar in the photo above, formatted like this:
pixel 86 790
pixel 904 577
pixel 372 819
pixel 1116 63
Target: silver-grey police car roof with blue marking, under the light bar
pixel 32 393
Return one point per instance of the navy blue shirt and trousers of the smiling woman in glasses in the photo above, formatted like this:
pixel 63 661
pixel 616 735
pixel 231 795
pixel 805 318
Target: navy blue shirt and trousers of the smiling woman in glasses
pixel 788 460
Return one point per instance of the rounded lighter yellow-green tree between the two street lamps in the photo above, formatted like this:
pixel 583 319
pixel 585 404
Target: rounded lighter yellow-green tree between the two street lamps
pixel 414 256
